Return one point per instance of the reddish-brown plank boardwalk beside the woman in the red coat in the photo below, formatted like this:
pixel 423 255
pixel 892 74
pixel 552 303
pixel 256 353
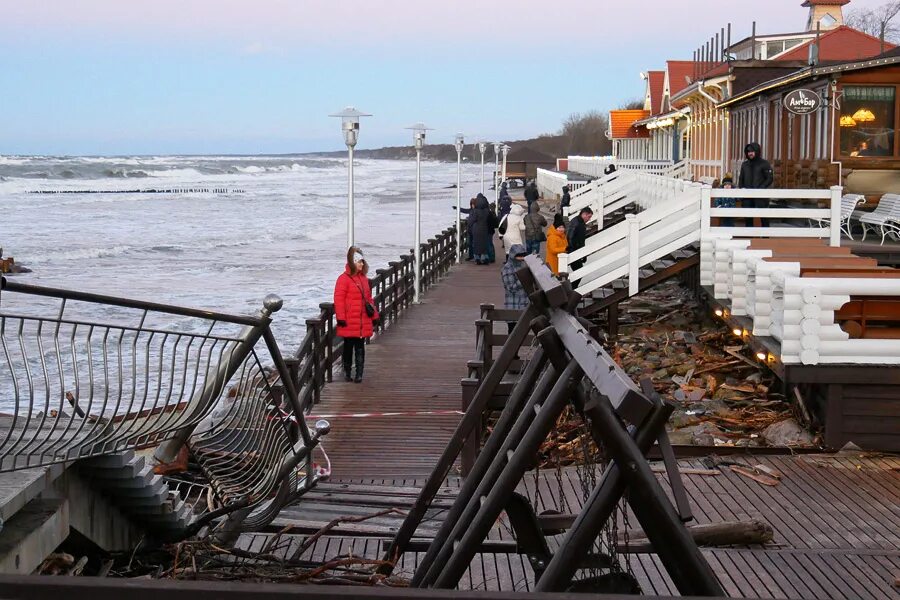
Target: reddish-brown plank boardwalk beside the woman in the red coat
pixel 414 368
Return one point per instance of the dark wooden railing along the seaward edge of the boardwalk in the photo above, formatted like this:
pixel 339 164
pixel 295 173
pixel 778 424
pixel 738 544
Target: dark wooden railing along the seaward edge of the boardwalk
pixel 312 364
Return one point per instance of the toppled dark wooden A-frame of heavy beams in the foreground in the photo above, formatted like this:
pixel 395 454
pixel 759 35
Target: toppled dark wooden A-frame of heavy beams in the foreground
pixel 567 368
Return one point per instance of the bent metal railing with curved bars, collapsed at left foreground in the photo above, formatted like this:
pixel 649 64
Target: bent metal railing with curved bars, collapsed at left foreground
pixel 149 374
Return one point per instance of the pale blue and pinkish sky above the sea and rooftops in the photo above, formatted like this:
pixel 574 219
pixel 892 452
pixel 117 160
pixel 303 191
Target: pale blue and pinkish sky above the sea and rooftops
pixel 261 76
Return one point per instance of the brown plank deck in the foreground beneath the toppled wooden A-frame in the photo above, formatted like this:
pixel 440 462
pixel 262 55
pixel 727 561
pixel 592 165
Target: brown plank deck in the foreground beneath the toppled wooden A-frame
pixel 836 520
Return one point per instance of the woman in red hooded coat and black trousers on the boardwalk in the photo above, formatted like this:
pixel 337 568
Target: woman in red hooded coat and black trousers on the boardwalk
pixel 355 311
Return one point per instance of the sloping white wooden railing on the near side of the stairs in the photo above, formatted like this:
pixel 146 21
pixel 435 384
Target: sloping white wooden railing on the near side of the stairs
pixel 669 219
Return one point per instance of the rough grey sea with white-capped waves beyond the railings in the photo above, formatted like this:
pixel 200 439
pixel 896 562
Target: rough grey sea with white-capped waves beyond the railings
pixel 225 232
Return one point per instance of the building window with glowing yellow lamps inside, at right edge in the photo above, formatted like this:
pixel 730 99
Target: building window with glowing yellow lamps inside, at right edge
pixel 867 121
